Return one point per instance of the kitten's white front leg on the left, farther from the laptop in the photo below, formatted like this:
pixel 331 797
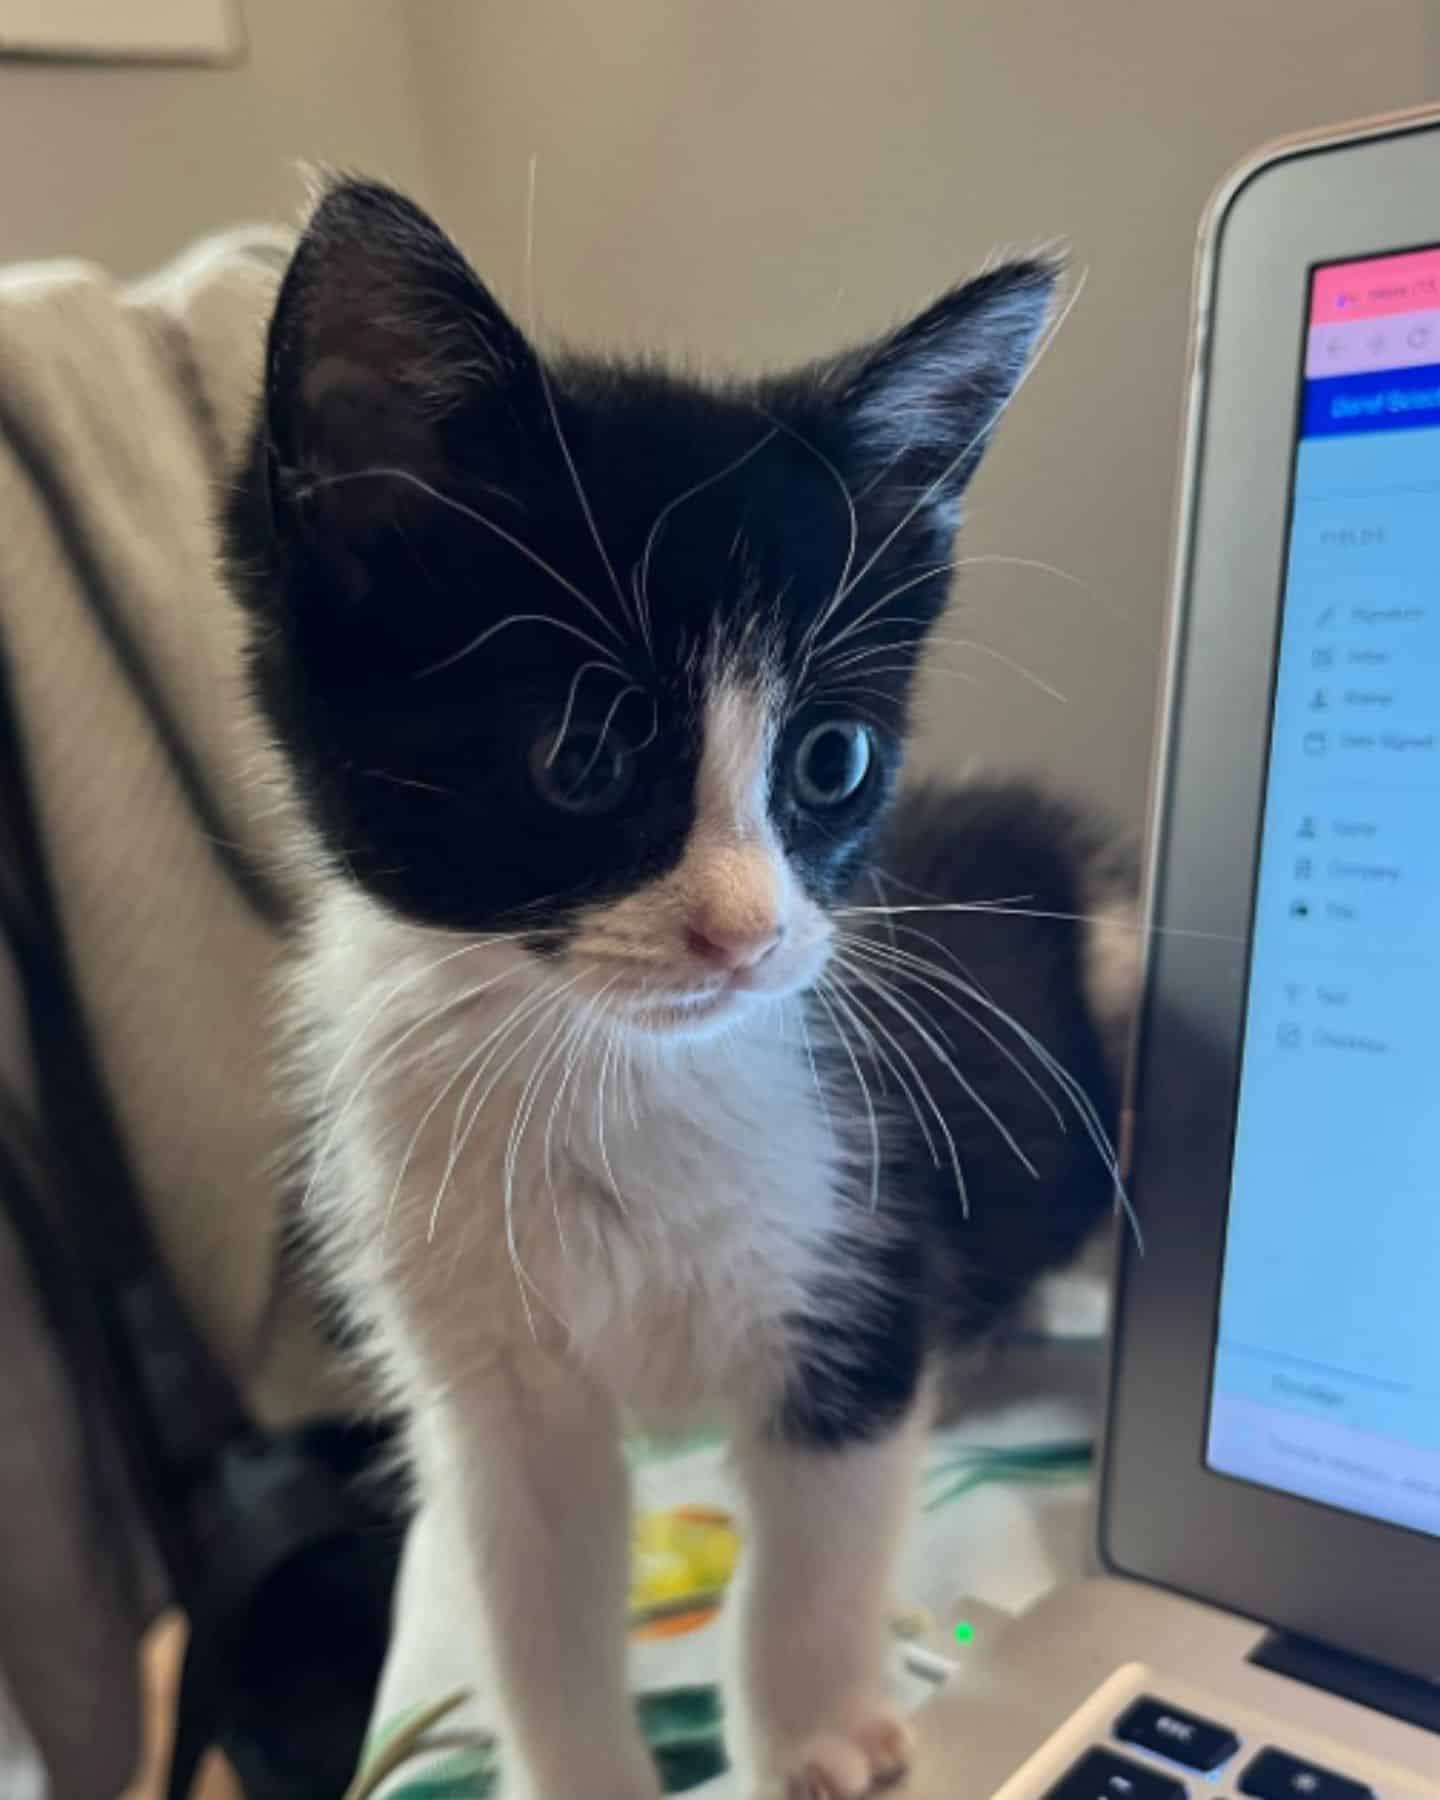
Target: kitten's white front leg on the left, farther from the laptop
pixel 528 1457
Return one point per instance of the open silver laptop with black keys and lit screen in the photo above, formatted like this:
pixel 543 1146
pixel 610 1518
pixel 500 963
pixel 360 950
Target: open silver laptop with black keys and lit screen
pixel 1266 1619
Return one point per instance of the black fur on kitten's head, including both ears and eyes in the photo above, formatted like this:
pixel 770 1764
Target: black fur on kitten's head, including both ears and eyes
pixel 494 595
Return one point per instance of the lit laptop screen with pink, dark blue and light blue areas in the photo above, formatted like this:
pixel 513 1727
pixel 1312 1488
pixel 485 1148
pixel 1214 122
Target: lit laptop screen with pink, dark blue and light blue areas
pixel 1327 1356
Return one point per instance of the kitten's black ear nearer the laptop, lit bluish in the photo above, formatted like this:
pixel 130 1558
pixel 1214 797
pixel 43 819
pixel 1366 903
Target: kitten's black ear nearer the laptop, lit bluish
pixel 919 408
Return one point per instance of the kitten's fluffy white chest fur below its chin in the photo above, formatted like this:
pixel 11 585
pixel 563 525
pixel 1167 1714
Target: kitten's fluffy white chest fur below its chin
pixel 490 1176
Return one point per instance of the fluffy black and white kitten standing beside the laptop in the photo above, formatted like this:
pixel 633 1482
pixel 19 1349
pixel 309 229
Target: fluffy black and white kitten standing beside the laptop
pixel 651 1086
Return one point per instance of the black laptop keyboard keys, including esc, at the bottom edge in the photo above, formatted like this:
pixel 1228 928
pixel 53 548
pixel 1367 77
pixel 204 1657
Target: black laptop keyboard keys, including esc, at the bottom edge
pixel 1203 1747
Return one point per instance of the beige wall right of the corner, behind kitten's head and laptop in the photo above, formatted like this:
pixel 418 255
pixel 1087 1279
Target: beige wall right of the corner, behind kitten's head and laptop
pixel 760 179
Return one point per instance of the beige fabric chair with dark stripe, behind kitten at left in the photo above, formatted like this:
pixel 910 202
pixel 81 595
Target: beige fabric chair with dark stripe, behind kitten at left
pixel 121 411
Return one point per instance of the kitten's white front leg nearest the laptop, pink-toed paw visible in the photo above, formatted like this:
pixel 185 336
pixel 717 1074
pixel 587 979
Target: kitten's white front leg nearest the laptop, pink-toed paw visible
pixel 825 1533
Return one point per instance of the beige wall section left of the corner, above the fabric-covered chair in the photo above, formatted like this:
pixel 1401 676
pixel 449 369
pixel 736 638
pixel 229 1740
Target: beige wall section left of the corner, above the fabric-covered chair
pixel 127 165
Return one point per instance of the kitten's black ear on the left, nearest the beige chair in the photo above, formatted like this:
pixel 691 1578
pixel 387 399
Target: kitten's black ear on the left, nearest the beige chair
pixel 381 343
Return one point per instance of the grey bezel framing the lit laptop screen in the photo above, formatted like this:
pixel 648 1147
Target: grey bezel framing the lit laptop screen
pixel 1164 1516
